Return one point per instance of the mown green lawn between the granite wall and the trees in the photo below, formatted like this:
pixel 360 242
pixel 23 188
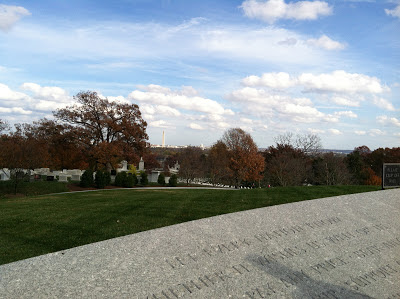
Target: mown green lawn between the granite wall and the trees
pixel 31 226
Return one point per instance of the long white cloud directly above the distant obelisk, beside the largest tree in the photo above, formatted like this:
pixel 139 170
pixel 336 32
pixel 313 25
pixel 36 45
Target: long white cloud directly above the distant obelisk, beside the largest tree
pixel 159 95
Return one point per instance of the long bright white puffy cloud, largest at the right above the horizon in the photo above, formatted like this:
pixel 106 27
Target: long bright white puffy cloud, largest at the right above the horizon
pixel 341 81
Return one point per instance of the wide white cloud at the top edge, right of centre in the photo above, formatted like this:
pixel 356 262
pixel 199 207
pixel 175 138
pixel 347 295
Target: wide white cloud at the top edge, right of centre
pixel 273 10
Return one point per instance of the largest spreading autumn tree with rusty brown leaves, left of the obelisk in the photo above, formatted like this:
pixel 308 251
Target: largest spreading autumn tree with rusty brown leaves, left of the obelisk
pixel 108 131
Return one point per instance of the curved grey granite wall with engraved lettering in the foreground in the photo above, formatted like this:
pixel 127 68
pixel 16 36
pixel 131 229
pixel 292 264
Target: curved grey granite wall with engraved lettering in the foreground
pixel 338 247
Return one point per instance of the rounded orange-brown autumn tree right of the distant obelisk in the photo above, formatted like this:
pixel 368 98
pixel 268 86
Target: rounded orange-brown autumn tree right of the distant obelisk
pixel 245 163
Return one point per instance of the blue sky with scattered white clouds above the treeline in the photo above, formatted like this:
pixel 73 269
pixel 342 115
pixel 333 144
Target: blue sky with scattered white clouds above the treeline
pixel 199 67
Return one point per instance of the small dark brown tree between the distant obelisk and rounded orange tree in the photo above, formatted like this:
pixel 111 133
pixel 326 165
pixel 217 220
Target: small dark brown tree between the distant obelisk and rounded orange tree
pixel 192 163
